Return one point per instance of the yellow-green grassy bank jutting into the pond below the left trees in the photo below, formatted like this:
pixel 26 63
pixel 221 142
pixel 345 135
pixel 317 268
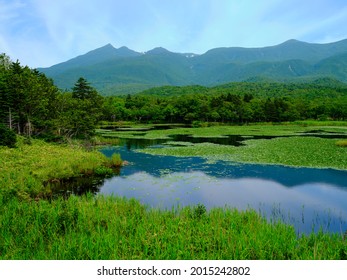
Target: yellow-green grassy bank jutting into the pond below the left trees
pixel 26 167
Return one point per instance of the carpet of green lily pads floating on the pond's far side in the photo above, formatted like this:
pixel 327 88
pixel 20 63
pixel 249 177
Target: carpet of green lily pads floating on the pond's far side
pixel 295 146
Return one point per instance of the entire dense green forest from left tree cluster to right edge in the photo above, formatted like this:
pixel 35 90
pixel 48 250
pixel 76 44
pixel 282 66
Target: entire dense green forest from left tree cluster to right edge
pixel 31 105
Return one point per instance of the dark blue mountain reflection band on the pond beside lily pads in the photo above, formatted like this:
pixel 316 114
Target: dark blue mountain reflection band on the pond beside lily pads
pixel 286 176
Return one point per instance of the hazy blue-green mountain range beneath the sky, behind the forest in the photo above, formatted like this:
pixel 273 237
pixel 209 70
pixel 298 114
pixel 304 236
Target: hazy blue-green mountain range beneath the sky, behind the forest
pixel 115 71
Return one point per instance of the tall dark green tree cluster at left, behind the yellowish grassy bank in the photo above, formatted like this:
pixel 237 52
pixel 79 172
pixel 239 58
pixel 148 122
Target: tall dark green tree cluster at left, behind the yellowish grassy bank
pixel 31 105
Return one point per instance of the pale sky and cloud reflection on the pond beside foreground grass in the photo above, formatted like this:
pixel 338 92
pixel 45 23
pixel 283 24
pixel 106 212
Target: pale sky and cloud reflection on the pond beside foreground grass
pixel 308 207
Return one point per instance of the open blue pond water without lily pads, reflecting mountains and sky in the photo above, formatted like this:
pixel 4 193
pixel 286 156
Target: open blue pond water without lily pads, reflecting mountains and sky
pixel 308 198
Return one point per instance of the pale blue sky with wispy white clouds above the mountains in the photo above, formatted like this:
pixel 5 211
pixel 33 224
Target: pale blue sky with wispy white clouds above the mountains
pixel 41 33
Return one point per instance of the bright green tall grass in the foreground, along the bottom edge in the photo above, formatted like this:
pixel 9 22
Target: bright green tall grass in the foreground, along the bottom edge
pixel 105 228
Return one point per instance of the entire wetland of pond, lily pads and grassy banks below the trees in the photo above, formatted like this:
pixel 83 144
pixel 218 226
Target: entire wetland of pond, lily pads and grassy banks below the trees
pixel 228 192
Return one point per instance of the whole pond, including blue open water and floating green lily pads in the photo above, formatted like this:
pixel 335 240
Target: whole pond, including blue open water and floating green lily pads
pixel 177 167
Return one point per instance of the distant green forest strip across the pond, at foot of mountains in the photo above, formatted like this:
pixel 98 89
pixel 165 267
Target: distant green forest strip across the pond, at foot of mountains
pixel 236 103
